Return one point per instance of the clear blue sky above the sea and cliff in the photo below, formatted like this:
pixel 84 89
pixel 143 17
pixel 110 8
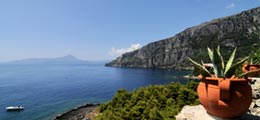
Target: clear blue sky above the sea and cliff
pixel 99 29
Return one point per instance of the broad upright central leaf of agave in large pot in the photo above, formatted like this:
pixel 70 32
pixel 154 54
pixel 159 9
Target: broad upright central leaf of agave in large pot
pixel 218 63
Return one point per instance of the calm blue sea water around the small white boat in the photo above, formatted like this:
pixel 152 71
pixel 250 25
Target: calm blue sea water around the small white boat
pixel 47 90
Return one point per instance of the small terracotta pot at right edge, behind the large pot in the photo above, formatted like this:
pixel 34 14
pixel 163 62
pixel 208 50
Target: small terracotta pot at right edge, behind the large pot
pixel 251 67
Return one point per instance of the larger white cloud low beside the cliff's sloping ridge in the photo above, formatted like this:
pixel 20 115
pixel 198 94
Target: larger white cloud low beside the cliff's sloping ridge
pixel 120 51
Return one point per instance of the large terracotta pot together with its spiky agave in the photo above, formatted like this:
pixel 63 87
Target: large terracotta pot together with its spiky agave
pixel 221 92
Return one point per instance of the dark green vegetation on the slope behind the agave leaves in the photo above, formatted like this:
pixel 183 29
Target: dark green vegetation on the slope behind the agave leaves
pixel 244 42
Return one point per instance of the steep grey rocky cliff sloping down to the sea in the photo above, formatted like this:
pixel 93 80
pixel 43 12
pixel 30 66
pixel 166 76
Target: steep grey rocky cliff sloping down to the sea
pixel 241 30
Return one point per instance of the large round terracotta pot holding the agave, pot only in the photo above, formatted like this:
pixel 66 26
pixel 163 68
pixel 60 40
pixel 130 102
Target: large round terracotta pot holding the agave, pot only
pixel 225 98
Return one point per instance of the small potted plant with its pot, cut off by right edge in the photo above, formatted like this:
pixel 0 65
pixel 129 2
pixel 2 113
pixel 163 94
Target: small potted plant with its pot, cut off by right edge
pixel 253 64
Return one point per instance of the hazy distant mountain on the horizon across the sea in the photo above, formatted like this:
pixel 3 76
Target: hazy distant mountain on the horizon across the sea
pixel 68 59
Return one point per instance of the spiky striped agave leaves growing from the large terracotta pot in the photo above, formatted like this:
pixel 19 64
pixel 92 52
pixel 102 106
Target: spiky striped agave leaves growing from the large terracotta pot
pixel 219 67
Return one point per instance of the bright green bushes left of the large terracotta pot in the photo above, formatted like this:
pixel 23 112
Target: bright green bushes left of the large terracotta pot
pixel 151 103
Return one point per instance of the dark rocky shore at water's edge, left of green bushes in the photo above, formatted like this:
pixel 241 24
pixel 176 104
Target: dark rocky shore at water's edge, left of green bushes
pixel 84 112
